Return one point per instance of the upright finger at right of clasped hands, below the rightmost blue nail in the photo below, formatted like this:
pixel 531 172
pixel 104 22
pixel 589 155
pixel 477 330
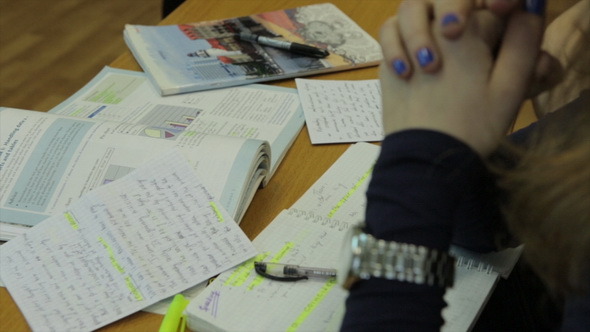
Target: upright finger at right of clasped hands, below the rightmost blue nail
pixel 517 57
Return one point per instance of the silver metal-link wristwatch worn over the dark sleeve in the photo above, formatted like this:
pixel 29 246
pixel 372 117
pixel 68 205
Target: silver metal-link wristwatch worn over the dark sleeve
pixel 366 257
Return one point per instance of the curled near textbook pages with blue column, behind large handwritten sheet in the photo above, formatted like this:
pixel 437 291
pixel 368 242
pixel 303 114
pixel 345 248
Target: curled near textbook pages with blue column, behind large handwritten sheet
pixel 48 161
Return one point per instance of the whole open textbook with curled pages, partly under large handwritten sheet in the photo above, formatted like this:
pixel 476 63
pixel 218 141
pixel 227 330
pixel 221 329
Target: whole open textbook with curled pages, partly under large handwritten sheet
pixel 234 138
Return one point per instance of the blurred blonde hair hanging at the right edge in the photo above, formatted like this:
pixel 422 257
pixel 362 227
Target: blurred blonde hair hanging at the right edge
pixel 548 202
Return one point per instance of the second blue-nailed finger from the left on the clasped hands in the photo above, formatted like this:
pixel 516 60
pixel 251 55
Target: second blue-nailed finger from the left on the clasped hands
pixel 415 32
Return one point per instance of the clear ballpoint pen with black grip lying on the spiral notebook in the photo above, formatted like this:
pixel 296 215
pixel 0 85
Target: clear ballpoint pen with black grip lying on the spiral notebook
pixel 287 272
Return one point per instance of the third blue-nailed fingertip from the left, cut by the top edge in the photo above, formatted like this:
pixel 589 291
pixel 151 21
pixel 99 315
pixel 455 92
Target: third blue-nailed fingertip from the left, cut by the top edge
pixel 452 16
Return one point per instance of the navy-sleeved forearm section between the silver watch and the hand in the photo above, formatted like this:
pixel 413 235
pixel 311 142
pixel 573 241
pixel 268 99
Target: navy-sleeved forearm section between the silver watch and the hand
pixel 425 186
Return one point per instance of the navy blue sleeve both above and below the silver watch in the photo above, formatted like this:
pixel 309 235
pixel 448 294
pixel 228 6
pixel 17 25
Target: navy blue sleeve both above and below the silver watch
pixel 420 188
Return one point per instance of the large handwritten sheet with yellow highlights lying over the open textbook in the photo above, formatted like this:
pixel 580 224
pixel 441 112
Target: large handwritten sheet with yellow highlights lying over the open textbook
pixel 122 247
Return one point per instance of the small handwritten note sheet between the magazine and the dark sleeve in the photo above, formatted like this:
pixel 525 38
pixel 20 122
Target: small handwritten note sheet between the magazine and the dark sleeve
pixel 341 111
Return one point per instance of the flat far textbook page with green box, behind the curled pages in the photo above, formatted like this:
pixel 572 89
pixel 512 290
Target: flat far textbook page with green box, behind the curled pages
pixel 261 112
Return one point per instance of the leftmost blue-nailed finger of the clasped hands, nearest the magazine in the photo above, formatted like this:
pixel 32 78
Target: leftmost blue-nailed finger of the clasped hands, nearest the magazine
pixel 394 53
